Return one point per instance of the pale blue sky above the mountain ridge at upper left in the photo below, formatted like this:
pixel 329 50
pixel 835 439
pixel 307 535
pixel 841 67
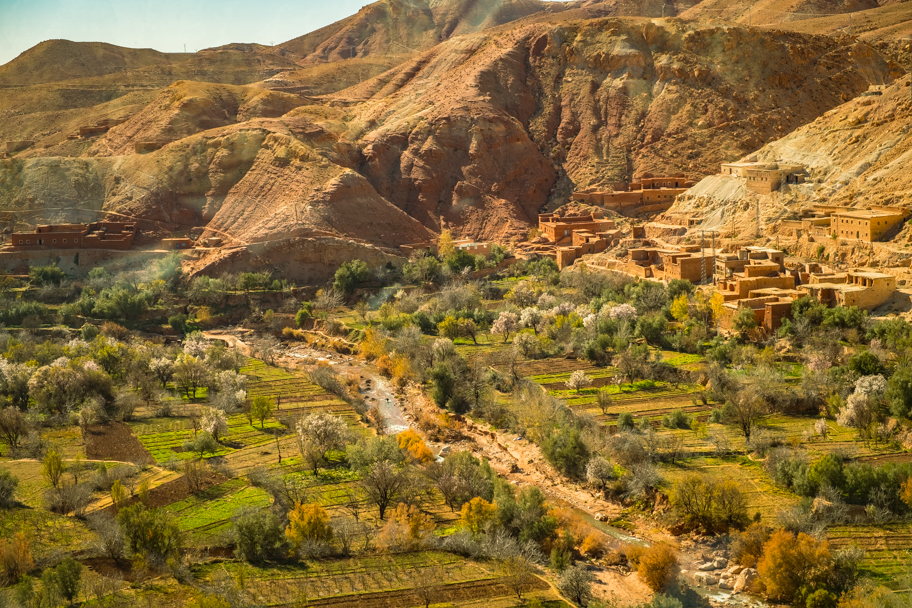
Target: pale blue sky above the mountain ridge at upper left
pixel 164 25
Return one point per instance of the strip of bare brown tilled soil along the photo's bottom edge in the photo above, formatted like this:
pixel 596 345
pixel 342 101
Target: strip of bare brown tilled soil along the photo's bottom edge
pixel 458 592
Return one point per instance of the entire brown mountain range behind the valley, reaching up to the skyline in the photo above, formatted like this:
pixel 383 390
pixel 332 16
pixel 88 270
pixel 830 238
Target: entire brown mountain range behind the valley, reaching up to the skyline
pixel 500 110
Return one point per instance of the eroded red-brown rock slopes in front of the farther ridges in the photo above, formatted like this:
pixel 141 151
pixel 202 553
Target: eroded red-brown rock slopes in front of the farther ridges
pixel 481 132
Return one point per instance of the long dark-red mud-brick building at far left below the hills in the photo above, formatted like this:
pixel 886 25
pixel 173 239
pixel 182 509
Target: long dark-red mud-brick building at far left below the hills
pixel 99 235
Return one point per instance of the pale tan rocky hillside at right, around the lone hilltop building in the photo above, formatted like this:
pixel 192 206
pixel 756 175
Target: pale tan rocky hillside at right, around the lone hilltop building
pixel 857 154
